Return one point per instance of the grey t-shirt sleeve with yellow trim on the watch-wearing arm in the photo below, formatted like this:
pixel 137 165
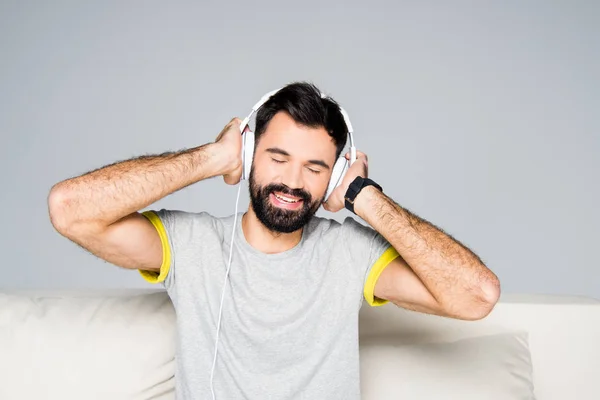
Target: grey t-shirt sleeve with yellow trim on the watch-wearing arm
pixel 370 253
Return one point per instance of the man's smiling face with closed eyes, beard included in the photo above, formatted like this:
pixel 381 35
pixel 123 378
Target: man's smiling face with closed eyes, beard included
pixel 290 172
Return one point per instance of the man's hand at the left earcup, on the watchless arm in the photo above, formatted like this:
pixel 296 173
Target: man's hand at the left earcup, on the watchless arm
pixel 229 142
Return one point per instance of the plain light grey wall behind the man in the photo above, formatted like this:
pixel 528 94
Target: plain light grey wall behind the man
pixel 481 117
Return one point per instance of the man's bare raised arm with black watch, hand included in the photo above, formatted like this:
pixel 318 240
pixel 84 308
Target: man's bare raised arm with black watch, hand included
pixel 434 273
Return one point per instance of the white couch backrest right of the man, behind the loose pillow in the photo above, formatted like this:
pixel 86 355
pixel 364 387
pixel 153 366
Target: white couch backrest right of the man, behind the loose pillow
pixel 564 336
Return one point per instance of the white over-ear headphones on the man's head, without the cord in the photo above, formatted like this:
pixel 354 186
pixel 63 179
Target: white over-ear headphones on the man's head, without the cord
pixel 339 169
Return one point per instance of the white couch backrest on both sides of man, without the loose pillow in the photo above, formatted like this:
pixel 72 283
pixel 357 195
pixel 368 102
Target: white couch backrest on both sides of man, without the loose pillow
pixel 120 343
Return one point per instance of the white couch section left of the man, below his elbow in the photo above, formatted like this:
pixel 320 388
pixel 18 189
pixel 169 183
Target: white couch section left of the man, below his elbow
pixel 76 346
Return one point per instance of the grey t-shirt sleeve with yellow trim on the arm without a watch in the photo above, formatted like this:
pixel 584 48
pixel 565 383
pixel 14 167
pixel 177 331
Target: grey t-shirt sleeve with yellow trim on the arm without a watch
pixel 165 223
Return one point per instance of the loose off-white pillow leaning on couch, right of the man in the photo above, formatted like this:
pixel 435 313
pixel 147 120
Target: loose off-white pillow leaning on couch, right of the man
pixel 494 367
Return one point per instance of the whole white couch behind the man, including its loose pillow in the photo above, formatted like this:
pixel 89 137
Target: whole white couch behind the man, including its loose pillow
pixel 119 344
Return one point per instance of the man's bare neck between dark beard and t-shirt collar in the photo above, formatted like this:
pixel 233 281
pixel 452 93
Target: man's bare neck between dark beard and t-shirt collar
pixel 265 240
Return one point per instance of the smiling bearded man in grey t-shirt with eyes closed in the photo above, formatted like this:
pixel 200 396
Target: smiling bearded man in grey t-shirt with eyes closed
pixel 297 281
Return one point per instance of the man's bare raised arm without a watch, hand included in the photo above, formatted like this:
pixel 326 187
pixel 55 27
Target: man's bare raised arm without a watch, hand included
pixel 100 209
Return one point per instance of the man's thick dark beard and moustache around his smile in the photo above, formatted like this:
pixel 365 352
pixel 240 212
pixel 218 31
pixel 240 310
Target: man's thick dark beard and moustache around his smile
pixel 279 219
